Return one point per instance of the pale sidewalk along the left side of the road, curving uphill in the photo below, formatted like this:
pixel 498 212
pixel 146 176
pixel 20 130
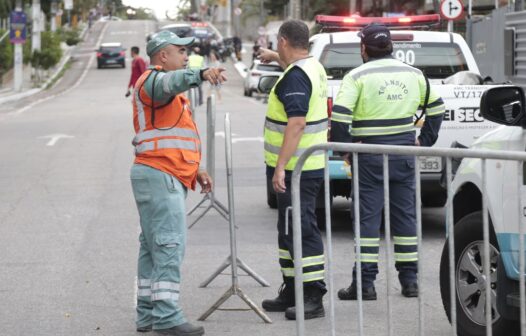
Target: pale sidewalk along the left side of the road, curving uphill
pixel 7 94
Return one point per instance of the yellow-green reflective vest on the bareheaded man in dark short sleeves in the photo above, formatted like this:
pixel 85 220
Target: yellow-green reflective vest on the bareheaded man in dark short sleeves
pixel 315 131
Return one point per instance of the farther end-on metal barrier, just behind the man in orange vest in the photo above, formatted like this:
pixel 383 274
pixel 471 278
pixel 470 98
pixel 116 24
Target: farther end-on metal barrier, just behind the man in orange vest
pixel 210 165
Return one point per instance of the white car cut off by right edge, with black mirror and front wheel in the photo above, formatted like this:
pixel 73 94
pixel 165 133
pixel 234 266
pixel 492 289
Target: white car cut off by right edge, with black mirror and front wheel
pixel 505 191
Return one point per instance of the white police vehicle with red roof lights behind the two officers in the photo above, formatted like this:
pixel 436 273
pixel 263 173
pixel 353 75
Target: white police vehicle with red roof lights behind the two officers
pixel 444 58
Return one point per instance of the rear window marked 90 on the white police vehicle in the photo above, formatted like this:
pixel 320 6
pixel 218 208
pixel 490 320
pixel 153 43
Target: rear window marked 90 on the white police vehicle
pixel 436 60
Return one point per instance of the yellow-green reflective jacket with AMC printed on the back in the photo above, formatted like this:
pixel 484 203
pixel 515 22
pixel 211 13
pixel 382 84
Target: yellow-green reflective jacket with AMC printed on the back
pixel 381 97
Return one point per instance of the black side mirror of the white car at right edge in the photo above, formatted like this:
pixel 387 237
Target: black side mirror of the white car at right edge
pixel 503 105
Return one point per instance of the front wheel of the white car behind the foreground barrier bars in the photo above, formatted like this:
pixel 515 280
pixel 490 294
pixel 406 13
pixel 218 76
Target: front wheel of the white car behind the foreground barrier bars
pixel 468 250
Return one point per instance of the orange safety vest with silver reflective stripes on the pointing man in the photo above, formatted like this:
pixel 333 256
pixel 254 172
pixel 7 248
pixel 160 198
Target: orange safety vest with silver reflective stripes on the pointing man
pixel 168 139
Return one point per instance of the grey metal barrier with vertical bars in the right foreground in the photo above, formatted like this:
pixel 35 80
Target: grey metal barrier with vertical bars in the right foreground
pixel 448 154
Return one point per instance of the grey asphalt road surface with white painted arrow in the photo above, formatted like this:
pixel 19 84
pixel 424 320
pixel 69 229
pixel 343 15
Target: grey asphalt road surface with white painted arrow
pixel 69 232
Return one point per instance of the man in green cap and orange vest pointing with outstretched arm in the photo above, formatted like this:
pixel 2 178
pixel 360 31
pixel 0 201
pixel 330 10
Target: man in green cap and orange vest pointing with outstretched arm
pixel 167 156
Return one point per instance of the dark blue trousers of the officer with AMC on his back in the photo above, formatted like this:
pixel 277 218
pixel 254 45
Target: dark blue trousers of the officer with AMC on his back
pixel 402 215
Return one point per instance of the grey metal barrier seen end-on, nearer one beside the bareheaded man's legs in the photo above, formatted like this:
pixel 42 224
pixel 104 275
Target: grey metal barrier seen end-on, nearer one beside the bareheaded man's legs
pixel 233 260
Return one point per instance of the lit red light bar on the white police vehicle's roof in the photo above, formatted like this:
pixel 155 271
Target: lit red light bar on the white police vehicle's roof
pixel 354 22
